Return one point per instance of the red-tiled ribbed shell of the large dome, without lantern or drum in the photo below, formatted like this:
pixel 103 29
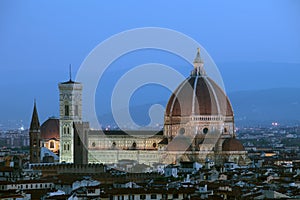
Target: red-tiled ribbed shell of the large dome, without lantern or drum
pixel 198 95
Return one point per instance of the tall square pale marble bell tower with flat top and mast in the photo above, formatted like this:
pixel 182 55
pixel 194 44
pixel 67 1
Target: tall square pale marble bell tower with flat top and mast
pixel 70 111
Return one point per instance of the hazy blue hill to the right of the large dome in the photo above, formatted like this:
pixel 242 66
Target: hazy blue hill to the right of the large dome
pixel 282 104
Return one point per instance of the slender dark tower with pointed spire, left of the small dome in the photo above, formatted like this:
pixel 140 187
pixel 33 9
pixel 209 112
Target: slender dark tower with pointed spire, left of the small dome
pixel 35 137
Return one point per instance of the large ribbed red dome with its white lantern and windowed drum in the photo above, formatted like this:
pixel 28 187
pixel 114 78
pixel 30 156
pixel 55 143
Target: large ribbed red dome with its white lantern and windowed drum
pixel 199 106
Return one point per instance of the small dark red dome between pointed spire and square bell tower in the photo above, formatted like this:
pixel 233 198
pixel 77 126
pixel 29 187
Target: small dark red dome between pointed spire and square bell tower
pixel 50 129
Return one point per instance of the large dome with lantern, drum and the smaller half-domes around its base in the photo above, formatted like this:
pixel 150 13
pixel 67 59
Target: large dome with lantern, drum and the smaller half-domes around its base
pixel 199 118
